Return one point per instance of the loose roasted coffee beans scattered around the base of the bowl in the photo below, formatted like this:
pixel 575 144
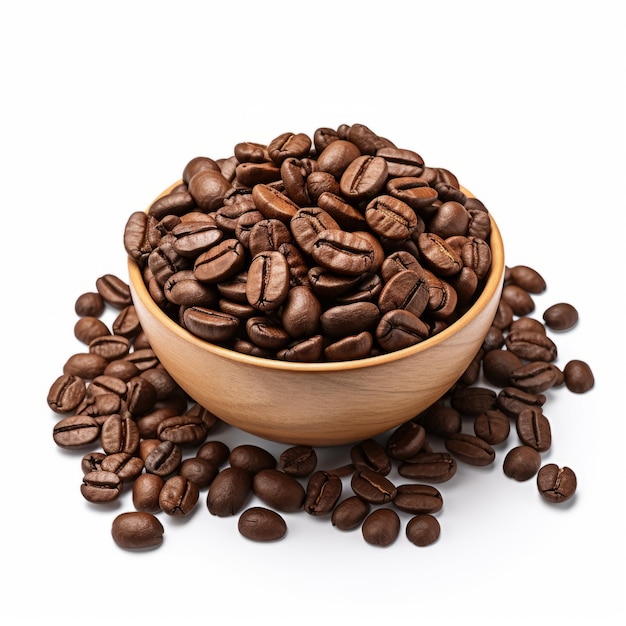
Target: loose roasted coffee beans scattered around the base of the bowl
pixel 136 434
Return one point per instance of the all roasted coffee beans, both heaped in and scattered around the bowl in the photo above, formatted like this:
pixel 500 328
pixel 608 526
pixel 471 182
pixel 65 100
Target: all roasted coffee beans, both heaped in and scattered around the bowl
pixel 340 247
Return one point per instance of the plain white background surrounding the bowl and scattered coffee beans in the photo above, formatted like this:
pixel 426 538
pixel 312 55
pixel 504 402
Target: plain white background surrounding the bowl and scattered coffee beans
pixel 104 103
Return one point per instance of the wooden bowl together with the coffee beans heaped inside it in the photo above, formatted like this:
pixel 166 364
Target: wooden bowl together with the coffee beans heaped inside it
pixel 340 281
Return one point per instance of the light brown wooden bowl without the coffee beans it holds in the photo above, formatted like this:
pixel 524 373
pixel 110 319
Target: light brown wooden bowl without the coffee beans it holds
pixel 319 404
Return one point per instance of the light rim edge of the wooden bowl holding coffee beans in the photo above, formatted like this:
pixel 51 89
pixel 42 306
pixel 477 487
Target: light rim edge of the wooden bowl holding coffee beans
pixel 494 280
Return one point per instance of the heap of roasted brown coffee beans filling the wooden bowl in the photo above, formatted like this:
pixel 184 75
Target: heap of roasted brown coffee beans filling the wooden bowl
pixel 336 247
